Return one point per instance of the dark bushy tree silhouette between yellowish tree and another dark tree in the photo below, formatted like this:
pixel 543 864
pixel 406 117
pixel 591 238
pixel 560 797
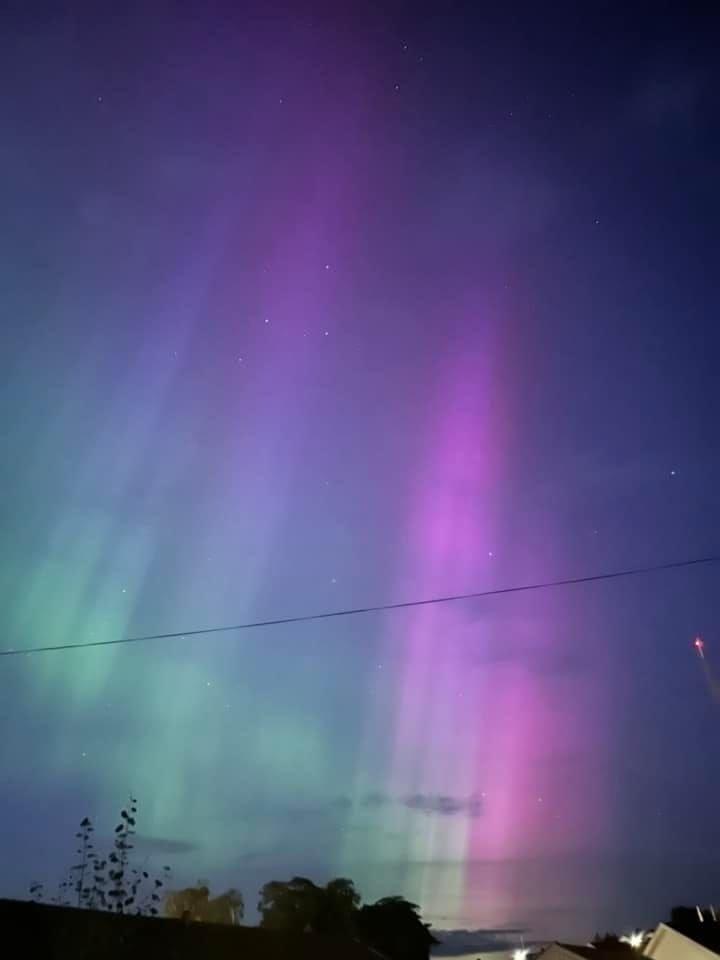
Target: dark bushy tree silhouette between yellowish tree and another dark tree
pixel 300 906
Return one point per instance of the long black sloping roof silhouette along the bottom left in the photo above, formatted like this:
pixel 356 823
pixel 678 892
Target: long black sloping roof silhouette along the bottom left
pixel 58 932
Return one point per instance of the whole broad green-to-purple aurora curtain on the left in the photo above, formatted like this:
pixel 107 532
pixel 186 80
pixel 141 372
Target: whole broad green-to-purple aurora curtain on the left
pixel 181 486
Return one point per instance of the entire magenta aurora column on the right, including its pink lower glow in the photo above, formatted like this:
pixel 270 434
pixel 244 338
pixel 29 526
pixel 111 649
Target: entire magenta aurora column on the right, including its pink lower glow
pixel 478 736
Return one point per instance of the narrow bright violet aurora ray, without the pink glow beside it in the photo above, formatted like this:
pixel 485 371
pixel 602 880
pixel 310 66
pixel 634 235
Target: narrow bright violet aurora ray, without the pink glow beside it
pixel 450 529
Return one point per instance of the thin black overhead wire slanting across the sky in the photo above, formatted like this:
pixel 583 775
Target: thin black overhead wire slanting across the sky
pixel 379 608
